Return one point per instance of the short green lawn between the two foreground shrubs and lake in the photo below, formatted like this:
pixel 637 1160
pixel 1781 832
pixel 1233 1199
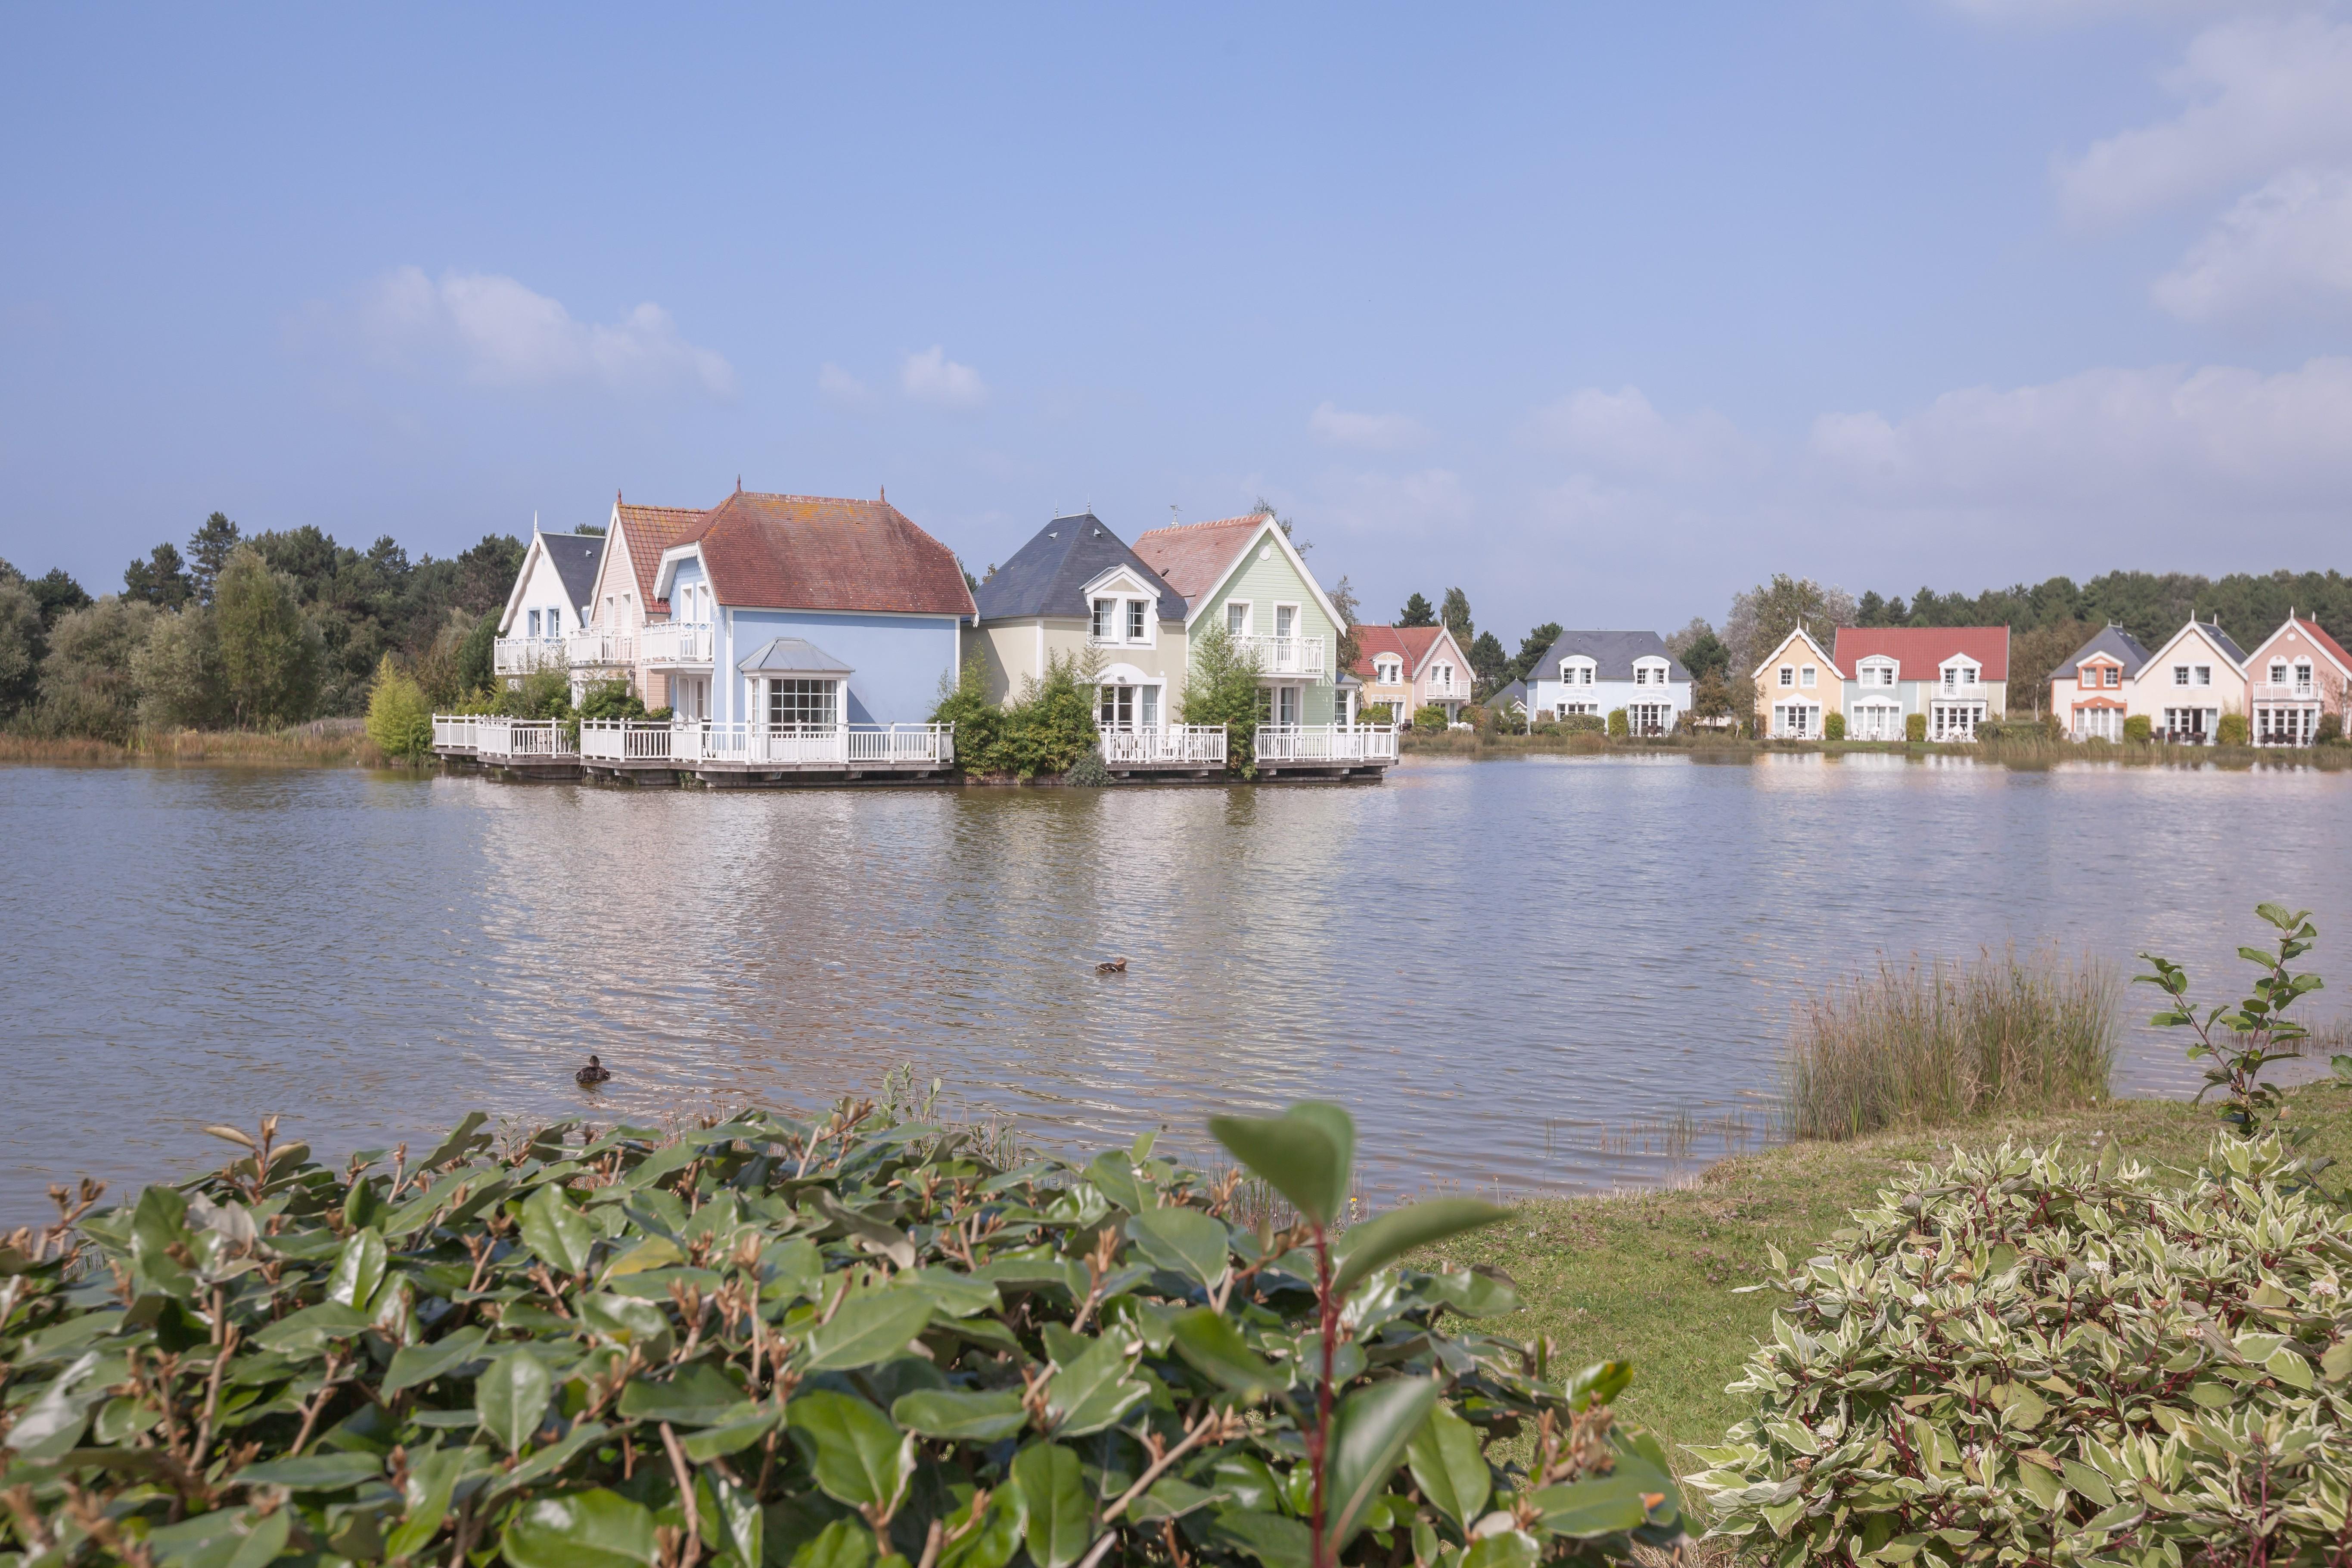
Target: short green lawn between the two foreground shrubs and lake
pixel 1650 1278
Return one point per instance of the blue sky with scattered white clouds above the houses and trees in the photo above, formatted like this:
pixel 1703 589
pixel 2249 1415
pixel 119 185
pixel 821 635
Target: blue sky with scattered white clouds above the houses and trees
pixel 1598 314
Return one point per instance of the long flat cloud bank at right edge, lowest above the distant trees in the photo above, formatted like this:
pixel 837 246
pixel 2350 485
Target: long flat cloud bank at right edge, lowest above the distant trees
pixel 2111 445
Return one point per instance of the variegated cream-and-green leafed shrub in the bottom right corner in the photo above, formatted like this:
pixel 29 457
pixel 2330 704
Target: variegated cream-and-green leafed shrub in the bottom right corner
pixel 2040 1360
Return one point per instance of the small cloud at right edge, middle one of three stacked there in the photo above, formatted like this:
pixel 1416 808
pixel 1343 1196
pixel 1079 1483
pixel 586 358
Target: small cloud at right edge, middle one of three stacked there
pixel 2283 246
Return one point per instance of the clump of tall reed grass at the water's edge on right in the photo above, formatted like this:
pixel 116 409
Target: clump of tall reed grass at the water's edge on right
pixel 1951 1043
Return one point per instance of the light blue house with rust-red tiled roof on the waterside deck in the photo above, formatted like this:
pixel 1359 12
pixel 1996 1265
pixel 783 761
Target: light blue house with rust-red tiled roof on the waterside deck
pixel 810 615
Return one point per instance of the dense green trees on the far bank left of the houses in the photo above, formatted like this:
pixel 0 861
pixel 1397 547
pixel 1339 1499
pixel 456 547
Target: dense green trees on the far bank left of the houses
pixel 248 631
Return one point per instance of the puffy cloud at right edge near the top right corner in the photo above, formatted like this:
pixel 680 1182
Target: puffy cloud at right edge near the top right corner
pixel 2264 95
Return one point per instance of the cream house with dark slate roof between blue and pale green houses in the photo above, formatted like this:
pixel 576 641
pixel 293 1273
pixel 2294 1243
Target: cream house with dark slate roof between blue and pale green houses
pixel 1076 591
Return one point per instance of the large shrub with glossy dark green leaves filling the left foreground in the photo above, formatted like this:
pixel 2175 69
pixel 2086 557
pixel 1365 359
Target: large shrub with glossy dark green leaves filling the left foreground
pixel 789 1343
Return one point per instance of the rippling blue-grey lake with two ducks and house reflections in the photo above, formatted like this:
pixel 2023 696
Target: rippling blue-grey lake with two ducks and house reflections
pixel 1549 974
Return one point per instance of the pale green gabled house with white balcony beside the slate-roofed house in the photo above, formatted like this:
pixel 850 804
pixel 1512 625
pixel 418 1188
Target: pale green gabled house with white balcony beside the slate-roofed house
pixel 1245 577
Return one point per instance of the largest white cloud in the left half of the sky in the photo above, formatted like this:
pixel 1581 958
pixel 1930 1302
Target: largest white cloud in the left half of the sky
pixel 507 335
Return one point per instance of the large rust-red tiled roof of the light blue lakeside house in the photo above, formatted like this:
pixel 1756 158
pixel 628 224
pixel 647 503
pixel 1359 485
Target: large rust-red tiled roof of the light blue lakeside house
pixel 827 554
